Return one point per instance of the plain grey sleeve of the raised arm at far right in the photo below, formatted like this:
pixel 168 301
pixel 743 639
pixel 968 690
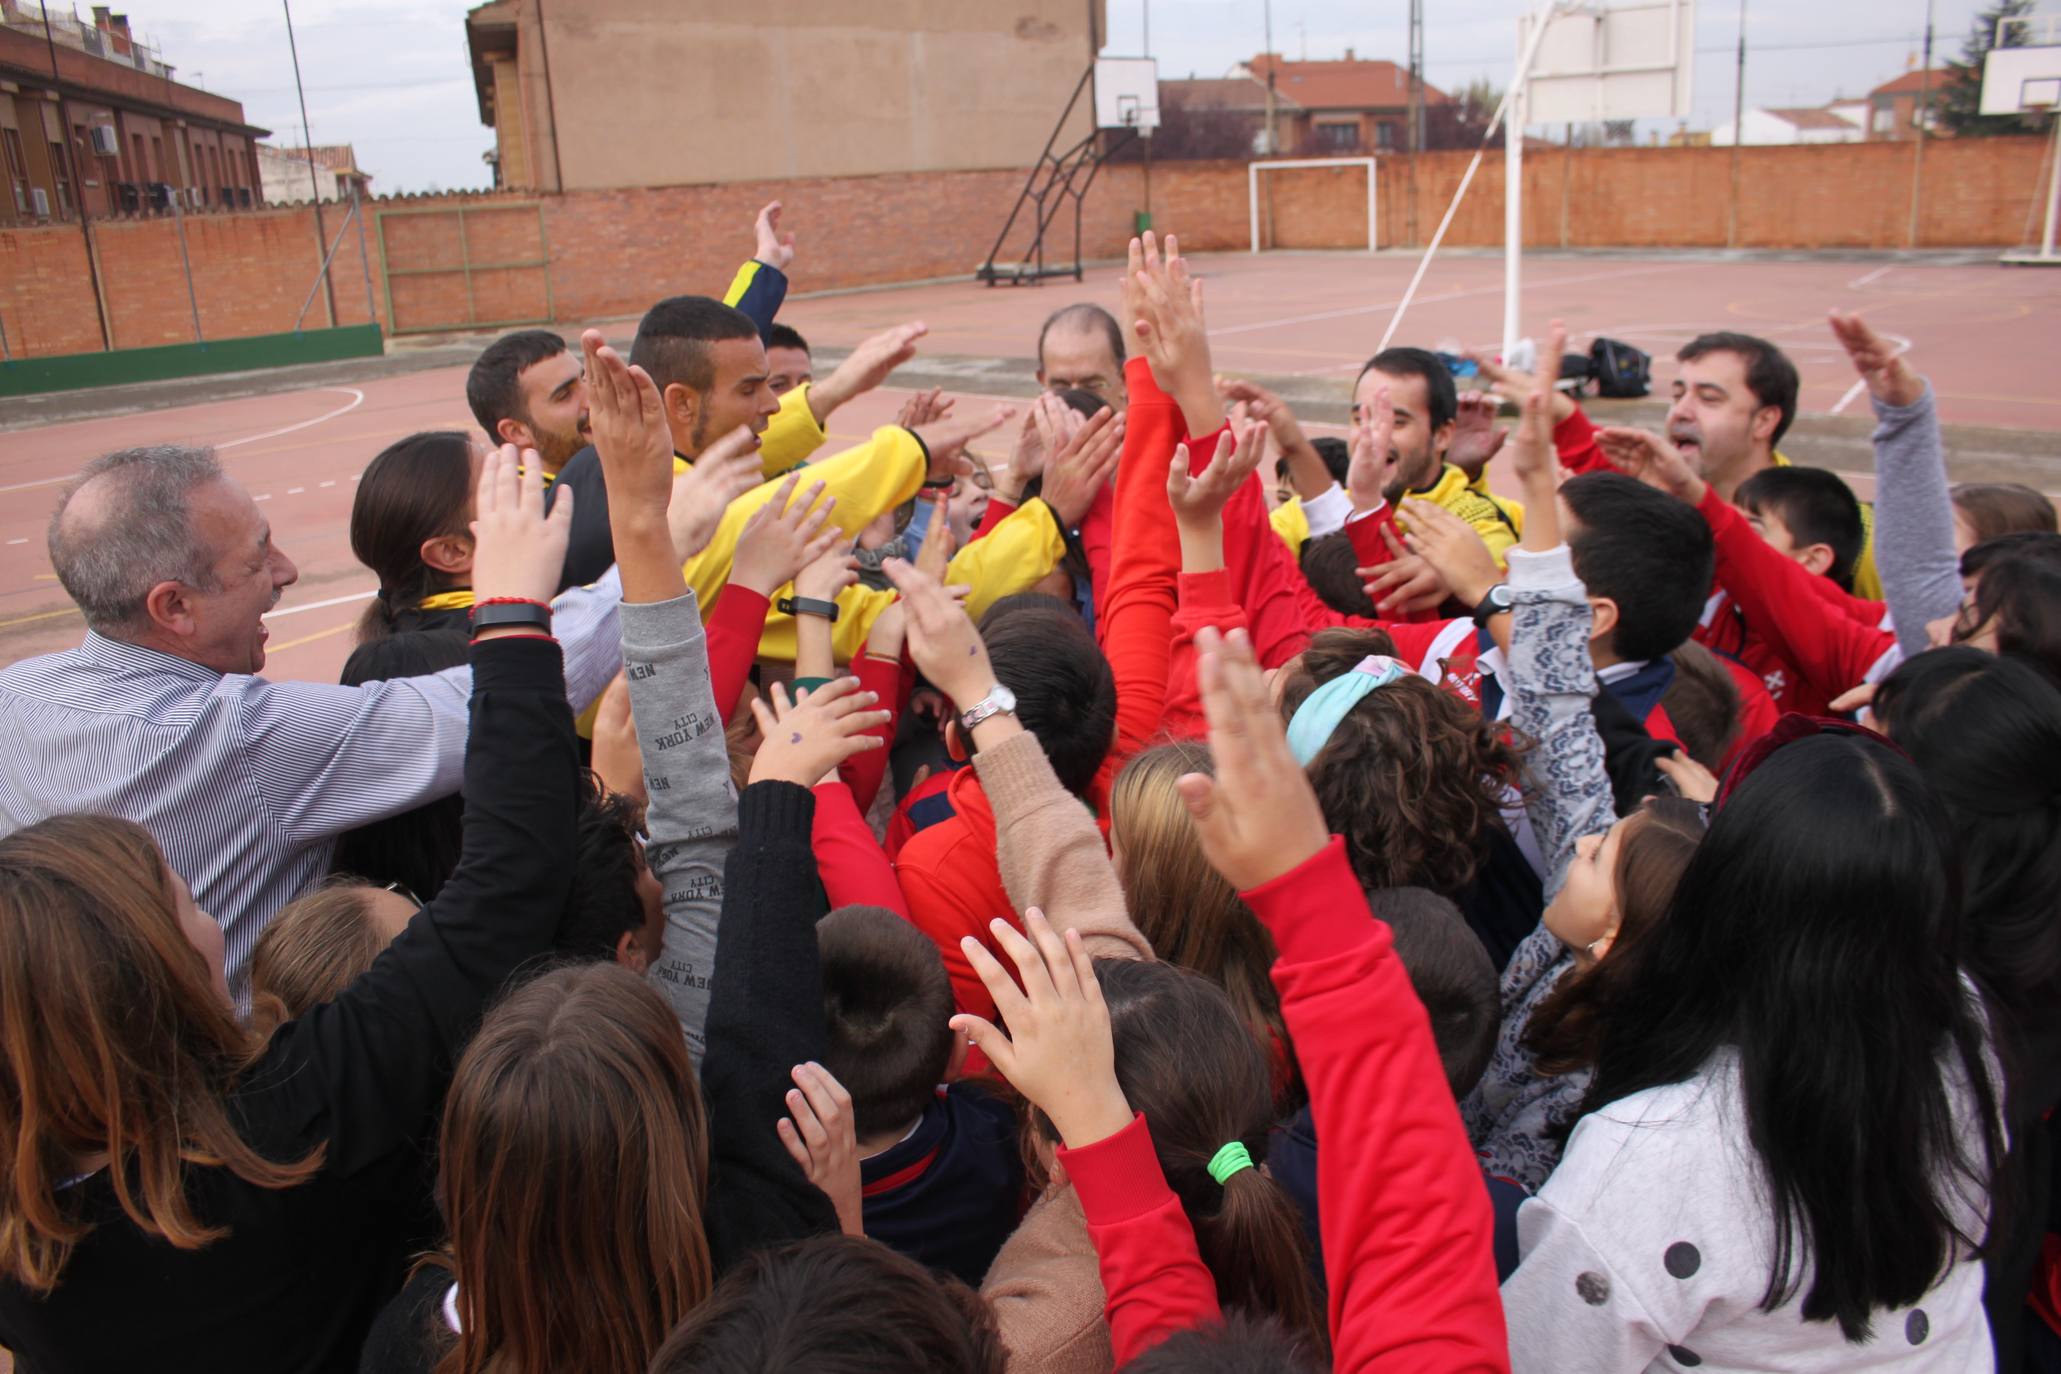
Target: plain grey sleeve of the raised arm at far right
pixel 1914 520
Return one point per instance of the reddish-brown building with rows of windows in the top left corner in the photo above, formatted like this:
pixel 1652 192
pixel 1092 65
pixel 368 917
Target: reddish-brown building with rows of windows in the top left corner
pixel 110 131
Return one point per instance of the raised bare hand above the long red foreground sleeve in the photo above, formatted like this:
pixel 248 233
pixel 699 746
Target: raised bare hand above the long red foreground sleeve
pixel 1258 817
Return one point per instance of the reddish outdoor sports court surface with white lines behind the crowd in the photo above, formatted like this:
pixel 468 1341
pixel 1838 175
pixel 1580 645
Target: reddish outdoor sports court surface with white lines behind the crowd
pixel 1982 333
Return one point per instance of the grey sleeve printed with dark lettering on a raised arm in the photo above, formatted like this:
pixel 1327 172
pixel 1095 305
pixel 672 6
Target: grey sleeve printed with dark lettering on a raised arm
pixel 694 811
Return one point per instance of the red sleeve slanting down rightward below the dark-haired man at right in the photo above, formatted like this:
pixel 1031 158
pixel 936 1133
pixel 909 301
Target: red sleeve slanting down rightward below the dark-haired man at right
pixel 1776 594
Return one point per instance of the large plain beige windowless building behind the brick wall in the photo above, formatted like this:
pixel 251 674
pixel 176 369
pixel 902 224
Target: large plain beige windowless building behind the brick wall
pixel 621 94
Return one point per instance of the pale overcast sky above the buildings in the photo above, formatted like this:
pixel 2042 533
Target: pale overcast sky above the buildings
pixel 393 77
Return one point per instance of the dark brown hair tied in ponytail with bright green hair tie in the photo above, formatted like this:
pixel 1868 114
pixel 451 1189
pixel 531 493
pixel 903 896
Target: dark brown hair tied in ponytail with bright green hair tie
pixel 1203 1080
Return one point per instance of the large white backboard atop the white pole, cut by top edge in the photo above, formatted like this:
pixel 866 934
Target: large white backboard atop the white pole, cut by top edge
pixel 1613 63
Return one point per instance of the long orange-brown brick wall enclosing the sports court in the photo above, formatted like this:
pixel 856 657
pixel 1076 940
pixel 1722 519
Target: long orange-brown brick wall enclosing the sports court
pixel 615 252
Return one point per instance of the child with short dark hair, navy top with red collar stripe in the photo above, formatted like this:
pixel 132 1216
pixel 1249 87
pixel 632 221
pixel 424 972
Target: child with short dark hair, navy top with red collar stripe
pixel 941 1173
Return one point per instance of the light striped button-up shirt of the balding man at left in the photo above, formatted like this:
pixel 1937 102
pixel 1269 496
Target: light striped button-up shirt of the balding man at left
pixel 246 784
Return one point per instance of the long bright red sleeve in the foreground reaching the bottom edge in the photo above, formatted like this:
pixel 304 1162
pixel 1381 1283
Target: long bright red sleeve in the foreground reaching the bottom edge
pixel 1409 1239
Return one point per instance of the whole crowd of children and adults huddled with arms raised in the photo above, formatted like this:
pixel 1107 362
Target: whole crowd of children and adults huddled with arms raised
pixel 1116 883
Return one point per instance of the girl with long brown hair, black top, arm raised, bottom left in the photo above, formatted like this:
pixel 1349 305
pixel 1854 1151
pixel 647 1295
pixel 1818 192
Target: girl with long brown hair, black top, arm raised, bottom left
pixel 180 1196
